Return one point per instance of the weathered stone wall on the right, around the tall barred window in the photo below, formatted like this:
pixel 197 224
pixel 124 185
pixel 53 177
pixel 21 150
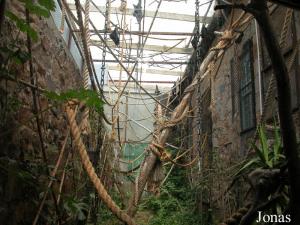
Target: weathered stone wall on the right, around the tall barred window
pixel 229 144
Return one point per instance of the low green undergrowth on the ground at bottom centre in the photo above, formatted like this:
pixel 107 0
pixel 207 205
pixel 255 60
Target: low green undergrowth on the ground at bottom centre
pixel 176 203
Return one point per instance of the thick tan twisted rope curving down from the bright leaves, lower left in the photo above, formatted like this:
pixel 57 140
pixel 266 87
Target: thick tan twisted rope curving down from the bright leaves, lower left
pixel 103 194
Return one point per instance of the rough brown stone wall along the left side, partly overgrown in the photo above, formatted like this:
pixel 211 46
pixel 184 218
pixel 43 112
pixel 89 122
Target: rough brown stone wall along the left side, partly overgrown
pixel 20 152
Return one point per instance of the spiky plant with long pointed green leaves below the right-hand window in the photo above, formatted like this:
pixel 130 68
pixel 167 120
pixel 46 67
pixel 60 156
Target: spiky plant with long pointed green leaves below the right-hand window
pixel 268 155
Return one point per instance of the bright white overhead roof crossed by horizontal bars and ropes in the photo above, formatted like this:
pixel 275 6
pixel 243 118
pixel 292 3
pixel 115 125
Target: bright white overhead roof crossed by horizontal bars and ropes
pixel 122 54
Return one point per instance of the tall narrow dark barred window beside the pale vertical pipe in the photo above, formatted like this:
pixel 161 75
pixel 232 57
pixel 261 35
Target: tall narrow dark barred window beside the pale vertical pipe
pixel 247 89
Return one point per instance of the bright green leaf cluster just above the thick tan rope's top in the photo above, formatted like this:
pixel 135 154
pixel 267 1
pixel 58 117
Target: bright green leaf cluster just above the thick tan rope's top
pixel 89 97
